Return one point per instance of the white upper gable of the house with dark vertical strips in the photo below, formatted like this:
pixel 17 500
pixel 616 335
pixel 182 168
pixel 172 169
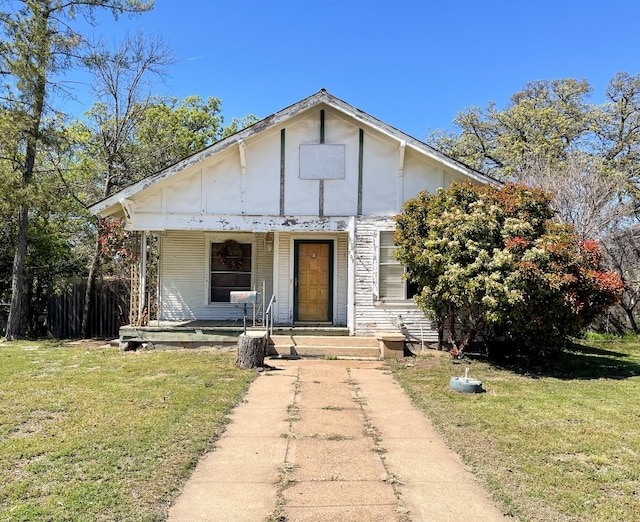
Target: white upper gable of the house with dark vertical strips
pixel 318 157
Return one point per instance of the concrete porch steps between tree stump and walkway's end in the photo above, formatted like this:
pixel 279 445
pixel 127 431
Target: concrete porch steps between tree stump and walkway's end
pixel 324 346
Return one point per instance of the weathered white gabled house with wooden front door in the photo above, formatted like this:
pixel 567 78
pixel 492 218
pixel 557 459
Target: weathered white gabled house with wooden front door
pixel 300 204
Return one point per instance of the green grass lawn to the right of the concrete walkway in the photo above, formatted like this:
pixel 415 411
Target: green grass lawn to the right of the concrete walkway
pixel 559 444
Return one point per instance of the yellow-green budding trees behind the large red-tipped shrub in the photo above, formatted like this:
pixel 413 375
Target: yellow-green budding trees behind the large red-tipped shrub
pixel 586 155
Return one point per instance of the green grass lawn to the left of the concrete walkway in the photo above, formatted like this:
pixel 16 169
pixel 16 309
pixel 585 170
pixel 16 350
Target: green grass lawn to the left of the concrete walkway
pixel 91 433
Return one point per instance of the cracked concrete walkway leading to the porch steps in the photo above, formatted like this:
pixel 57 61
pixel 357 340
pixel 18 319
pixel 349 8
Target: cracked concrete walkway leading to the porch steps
pixel 319 440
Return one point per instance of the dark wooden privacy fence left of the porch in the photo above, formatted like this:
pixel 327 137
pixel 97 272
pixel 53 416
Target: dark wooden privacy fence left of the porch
pixel 109 310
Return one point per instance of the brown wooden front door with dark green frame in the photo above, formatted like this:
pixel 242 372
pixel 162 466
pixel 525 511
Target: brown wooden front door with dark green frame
pixel 313 269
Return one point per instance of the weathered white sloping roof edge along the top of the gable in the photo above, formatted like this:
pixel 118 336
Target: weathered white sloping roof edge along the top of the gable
pixel 320 97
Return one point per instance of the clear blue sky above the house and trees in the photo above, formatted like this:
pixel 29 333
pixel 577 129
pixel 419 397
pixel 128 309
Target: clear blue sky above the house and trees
pixel 412 64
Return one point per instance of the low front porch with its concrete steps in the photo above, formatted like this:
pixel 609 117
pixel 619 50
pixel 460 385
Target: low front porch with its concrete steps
pixel 284 341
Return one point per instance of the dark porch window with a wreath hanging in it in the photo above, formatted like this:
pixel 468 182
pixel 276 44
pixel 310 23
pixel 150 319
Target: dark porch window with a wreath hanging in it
pixel 230 269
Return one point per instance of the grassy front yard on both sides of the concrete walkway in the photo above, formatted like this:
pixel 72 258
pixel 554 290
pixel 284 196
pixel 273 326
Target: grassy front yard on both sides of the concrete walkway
pixel 91 433
